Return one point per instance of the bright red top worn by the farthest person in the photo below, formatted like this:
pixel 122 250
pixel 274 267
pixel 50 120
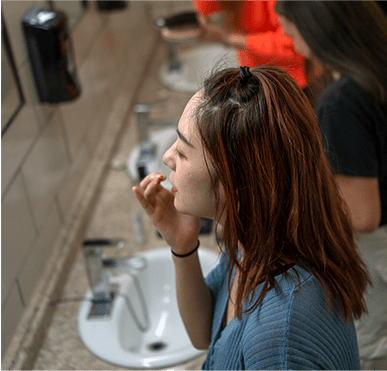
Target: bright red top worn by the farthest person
pixel 266 42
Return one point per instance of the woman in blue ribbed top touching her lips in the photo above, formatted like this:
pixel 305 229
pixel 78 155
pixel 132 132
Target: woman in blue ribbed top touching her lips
pixel 290 281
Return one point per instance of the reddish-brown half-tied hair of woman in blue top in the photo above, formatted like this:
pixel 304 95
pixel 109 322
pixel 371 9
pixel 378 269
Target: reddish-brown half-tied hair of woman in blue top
pixel 282 204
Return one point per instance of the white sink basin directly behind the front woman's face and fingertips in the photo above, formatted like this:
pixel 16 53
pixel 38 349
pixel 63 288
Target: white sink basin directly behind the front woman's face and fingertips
pixel 163 138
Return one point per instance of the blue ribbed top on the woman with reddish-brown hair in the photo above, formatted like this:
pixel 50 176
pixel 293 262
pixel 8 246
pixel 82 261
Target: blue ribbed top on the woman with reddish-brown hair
pixel 288 331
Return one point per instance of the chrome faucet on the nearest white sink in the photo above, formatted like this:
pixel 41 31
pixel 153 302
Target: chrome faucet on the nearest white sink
pixel 103 295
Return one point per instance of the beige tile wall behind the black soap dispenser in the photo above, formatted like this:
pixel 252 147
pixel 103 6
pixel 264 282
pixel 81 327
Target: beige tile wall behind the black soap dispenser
pixel 48 148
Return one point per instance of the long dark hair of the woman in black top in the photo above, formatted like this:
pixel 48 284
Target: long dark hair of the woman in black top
pixel 348 36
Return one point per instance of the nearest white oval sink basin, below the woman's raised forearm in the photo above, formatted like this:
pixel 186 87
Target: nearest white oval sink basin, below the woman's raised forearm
pixel 118 340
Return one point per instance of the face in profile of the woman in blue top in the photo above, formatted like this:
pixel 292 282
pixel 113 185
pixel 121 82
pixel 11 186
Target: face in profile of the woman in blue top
pixel 191 181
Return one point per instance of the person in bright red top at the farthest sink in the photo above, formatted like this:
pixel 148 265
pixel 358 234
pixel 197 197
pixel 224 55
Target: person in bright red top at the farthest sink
pixel 253 28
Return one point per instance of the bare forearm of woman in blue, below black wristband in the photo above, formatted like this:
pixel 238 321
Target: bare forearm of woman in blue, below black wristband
pixel 194 300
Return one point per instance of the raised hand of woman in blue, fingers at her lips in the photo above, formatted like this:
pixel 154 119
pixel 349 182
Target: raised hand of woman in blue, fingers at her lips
pixel 179 230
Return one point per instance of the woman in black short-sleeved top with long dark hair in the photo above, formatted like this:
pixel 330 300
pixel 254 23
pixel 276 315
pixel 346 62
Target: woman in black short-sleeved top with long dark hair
pixel 352 113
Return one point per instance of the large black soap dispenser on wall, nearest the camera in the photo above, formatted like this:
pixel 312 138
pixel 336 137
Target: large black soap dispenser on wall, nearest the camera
pixel 51 55
